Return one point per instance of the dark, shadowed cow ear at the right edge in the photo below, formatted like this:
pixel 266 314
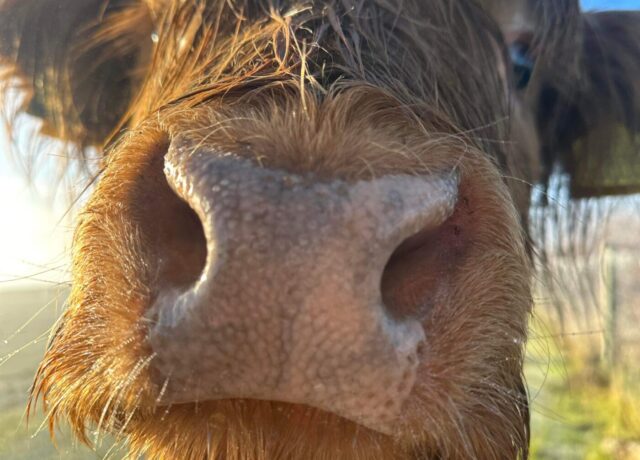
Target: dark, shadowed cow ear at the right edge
pixel 595 127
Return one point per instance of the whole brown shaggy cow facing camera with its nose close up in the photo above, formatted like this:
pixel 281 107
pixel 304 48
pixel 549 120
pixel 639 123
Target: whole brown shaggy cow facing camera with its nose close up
pixel 307 237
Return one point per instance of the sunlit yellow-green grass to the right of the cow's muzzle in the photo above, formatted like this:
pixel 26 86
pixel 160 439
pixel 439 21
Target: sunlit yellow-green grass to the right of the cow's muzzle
pixel 579 409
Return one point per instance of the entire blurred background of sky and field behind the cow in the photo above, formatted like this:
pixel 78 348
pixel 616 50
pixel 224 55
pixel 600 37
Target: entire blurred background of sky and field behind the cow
pixel 583 356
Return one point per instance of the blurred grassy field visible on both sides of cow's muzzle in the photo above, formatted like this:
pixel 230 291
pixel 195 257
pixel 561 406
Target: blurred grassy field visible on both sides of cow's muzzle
pixel 579 410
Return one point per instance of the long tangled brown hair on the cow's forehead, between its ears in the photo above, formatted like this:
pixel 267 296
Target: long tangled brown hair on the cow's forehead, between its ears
pixel 414 50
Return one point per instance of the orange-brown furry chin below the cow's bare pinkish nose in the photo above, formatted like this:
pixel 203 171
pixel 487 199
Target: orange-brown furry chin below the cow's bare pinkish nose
pixel 254 429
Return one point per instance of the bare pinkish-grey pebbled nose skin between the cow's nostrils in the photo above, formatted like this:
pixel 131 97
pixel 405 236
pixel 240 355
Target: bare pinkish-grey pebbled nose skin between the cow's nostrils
pixel 288 307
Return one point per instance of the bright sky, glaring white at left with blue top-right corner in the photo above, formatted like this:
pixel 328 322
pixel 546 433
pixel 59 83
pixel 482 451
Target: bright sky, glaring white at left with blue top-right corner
pixel 35 235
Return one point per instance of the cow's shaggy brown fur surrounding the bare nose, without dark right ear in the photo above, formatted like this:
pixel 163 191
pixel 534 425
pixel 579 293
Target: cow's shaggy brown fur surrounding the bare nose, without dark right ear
pixel 350 89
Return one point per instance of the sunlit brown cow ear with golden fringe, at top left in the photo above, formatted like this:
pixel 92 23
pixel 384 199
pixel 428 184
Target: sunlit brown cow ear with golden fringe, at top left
pixel 79 62
